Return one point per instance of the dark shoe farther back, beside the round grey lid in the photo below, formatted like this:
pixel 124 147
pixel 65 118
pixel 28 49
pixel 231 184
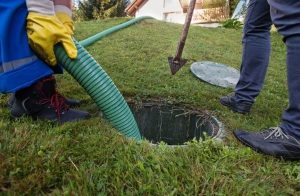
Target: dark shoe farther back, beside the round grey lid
pixel 240 107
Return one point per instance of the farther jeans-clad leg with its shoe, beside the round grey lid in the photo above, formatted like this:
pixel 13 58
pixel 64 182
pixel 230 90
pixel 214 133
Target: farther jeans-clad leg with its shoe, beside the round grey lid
pixel 255 59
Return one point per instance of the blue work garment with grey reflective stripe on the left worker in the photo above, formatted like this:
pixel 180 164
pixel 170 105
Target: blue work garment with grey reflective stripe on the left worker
pixel 19 66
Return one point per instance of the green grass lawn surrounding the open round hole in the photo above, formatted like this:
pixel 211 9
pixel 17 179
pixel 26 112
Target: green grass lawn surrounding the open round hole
pixel 90 157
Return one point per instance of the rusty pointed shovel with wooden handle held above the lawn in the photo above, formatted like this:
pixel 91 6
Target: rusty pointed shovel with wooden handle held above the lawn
pixel 177 62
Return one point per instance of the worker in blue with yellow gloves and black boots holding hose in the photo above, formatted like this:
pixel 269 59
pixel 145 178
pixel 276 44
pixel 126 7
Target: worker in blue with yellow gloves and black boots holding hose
pixel 29 30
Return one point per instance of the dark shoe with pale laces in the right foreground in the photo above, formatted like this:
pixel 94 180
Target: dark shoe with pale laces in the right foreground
pixel 273 141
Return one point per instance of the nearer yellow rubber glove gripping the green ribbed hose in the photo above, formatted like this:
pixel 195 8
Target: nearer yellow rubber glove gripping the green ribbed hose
pixel 44 32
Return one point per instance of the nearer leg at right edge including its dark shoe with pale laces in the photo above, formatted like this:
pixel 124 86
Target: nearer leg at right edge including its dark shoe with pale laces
pixel 283 141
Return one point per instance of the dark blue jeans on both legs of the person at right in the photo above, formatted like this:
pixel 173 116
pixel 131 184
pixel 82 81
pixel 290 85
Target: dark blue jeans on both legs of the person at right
pixel 285 15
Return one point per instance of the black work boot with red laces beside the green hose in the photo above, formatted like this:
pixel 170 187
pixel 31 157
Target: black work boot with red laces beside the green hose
pixel 41 101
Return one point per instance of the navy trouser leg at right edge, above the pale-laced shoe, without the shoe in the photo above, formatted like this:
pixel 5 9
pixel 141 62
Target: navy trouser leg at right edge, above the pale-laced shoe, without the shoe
pixel 286 17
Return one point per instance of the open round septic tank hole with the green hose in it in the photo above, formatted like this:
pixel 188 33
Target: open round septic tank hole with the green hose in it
pixel 174 125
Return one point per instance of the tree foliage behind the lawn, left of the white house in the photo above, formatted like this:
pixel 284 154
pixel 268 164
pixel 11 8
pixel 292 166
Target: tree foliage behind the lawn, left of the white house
pixel 99 9
